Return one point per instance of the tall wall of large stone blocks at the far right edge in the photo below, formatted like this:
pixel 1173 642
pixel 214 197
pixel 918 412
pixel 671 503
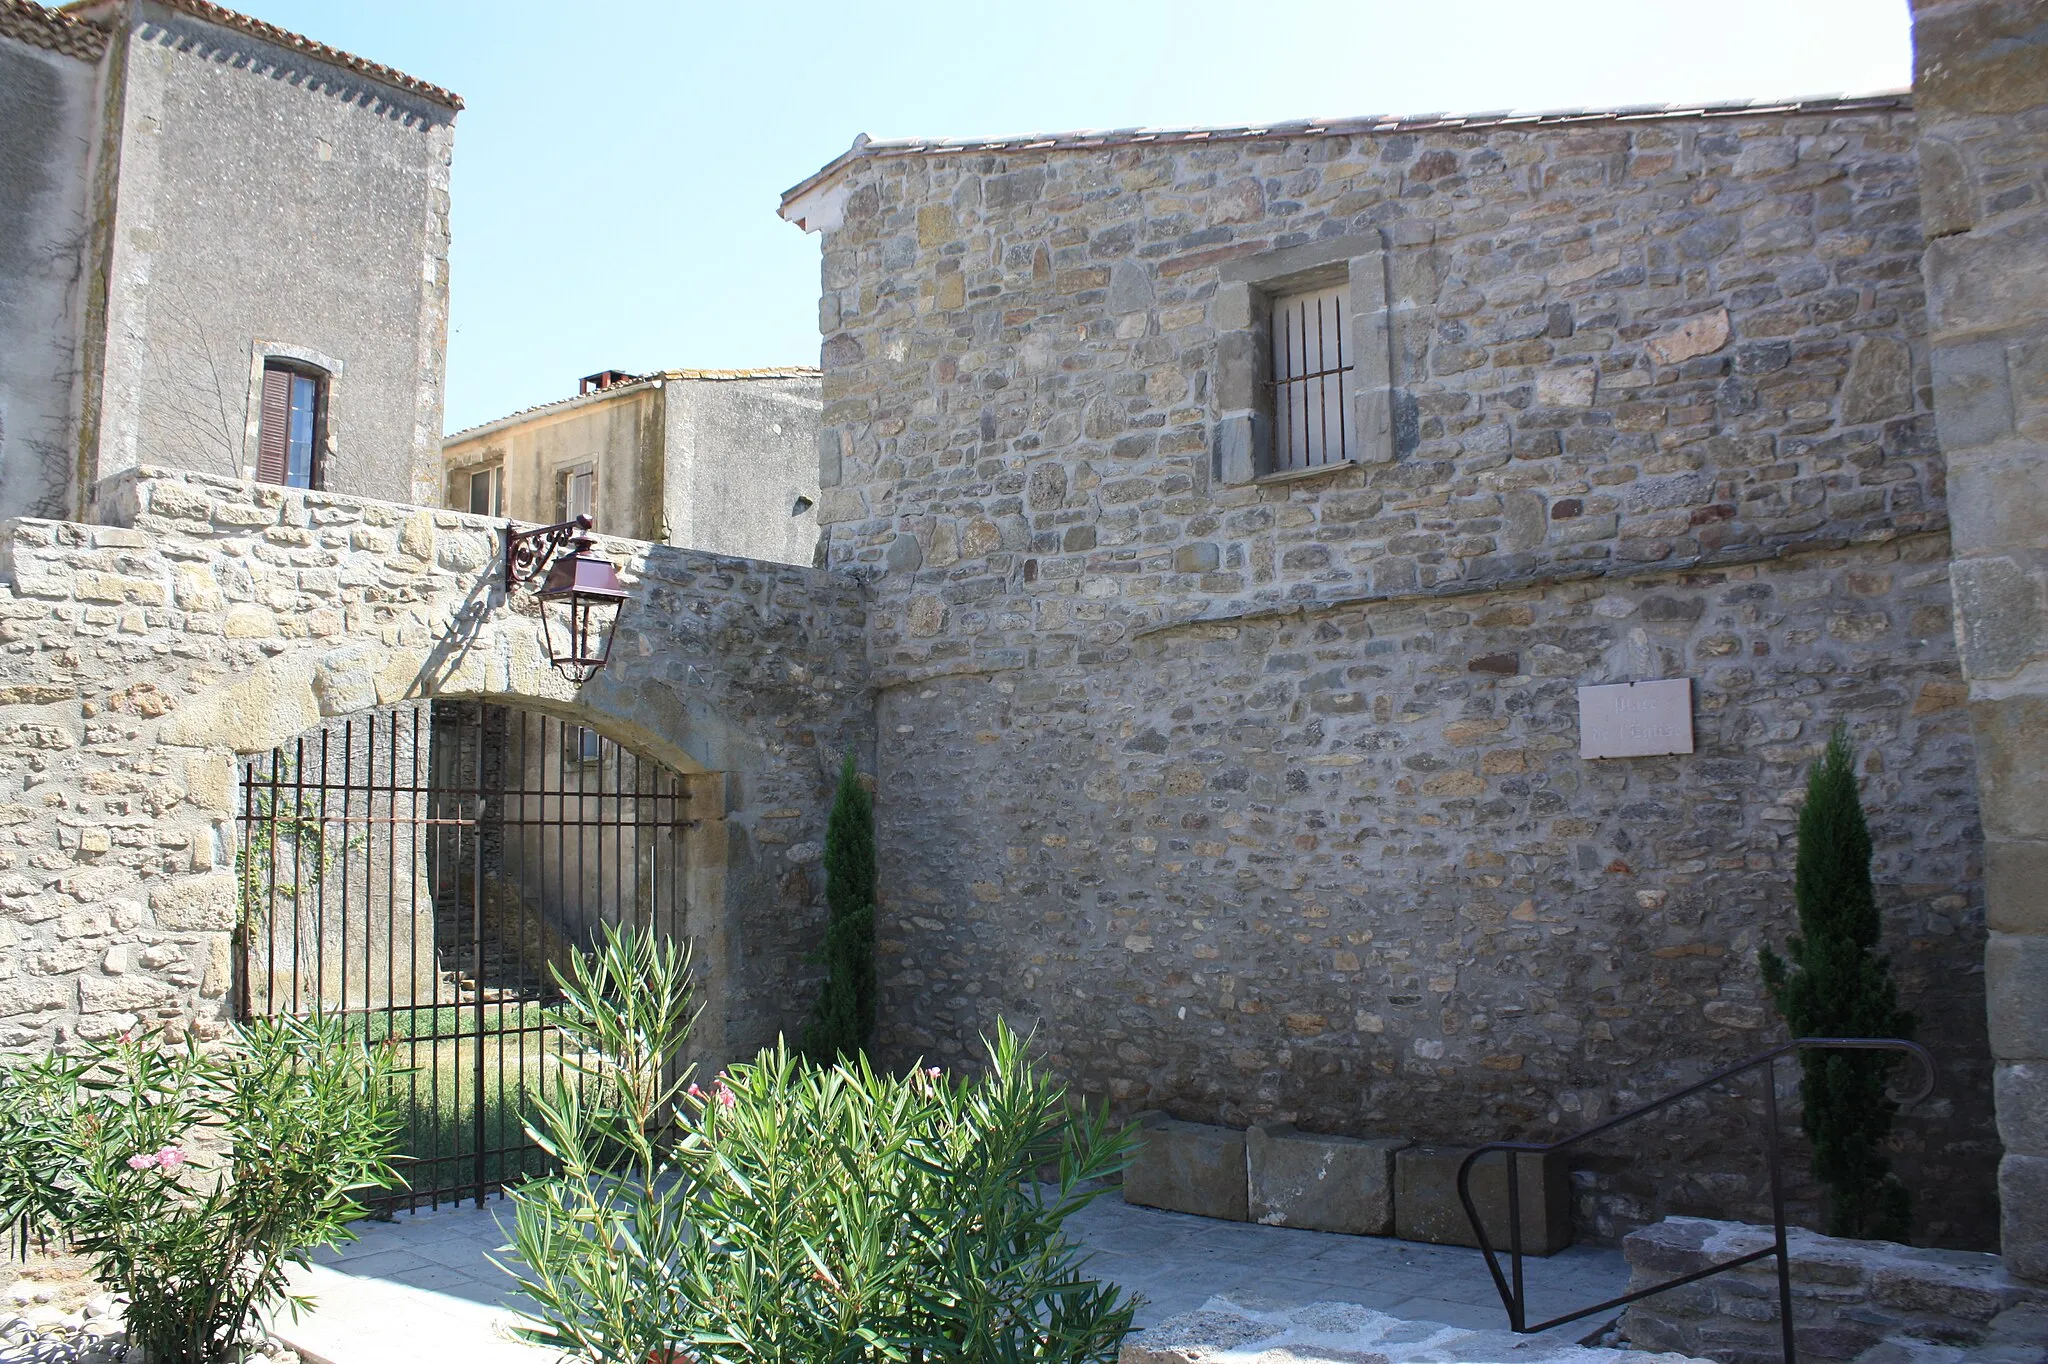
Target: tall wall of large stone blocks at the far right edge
pixel 1981 77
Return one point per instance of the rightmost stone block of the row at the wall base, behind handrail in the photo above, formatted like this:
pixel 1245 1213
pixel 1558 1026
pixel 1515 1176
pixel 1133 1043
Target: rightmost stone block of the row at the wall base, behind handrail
pixel 1428 1207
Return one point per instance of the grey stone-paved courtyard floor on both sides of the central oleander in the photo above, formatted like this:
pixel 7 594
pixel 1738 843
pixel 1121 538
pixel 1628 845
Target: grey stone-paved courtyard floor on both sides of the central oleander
pixel 1177 1263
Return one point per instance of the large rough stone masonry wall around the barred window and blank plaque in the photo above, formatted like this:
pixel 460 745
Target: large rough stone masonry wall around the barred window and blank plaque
pixel 1258 796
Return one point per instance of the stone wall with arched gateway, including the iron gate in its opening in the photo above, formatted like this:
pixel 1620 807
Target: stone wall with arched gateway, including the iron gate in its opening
pixel 275 749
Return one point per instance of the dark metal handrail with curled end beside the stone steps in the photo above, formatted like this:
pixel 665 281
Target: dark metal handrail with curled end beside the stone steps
pixel 1514 1295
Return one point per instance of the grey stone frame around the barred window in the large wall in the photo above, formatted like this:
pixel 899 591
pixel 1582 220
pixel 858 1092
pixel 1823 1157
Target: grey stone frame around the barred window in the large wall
pixel 1242 314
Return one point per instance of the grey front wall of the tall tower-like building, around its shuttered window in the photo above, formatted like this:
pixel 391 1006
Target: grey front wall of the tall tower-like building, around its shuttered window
pixel 267 202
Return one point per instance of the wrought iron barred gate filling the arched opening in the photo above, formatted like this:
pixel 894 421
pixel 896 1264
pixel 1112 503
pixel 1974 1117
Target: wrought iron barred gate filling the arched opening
pixel 421 871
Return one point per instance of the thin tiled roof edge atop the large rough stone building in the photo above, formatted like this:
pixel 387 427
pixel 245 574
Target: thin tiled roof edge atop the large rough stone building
pixel 1342 128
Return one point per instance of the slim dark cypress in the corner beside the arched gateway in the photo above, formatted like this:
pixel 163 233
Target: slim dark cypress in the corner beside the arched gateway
pixel 845 1015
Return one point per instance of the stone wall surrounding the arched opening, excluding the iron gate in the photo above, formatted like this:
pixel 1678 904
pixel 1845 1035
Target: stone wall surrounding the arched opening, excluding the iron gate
pixel 216 620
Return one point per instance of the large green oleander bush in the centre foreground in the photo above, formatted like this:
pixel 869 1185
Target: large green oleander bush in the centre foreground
pixel 800 1211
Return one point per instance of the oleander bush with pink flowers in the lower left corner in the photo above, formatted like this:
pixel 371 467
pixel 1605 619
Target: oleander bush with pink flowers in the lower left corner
pixel 194 1177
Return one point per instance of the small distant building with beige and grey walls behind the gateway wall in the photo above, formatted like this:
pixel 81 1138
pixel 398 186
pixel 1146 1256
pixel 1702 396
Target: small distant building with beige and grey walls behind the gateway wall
pixel 716 460
